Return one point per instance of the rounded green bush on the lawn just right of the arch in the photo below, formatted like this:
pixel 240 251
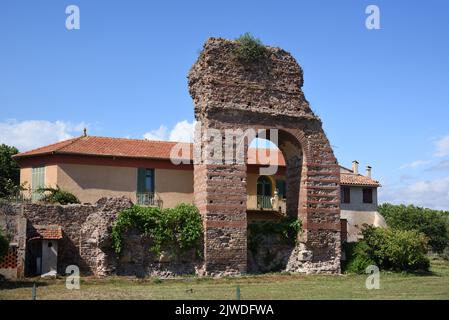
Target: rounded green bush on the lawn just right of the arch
pixel 388 249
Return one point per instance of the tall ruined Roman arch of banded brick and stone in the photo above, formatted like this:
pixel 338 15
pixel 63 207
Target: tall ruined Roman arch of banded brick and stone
pixel 266 94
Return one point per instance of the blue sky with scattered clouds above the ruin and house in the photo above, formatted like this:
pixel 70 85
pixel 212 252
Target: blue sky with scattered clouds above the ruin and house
pixel 383 95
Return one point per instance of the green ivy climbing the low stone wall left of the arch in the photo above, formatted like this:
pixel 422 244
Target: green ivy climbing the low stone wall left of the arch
pixel 178 228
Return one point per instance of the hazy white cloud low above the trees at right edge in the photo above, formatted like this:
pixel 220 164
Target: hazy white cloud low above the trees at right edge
pixel 427 193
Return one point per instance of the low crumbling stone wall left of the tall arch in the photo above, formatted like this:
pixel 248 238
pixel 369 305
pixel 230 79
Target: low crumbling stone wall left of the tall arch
pixel 87 241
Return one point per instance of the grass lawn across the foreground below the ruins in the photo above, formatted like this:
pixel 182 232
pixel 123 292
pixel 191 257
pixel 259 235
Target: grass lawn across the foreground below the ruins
pixel 434 285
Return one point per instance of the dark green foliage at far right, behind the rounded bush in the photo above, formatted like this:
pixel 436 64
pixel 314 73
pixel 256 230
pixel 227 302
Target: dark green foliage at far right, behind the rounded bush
pixel 433 223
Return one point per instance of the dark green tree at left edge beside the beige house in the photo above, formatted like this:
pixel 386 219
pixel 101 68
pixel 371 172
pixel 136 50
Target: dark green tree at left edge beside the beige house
pixel 9 172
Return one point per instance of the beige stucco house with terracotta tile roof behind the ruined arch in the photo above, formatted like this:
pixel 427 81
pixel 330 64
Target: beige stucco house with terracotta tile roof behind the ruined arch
pixel 94 167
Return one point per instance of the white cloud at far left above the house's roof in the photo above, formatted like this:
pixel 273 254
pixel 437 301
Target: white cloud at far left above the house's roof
pixel 30 134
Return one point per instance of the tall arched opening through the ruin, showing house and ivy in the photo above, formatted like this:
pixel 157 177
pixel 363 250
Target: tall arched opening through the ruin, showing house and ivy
pixel 273 200
